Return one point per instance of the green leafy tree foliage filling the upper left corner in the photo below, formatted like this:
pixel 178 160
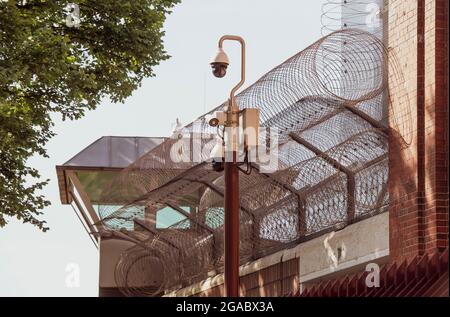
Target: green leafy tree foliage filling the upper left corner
pixel 54 60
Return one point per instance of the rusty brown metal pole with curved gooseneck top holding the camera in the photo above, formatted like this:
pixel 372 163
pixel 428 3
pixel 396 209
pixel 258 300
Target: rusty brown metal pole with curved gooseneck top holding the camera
pixel 231 172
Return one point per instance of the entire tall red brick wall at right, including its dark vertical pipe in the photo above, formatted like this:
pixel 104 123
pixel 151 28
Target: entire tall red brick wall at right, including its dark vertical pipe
pixel 417 33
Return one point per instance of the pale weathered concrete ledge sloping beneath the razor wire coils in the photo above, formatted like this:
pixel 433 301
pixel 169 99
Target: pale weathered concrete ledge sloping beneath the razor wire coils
pixel 359 243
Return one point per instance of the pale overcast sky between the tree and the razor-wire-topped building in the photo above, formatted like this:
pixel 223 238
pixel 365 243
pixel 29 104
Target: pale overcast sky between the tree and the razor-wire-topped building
pixel 33 263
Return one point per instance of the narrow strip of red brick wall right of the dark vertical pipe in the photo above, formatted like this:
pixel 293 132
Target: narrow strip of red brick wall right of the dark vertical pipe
pixel 436 125
